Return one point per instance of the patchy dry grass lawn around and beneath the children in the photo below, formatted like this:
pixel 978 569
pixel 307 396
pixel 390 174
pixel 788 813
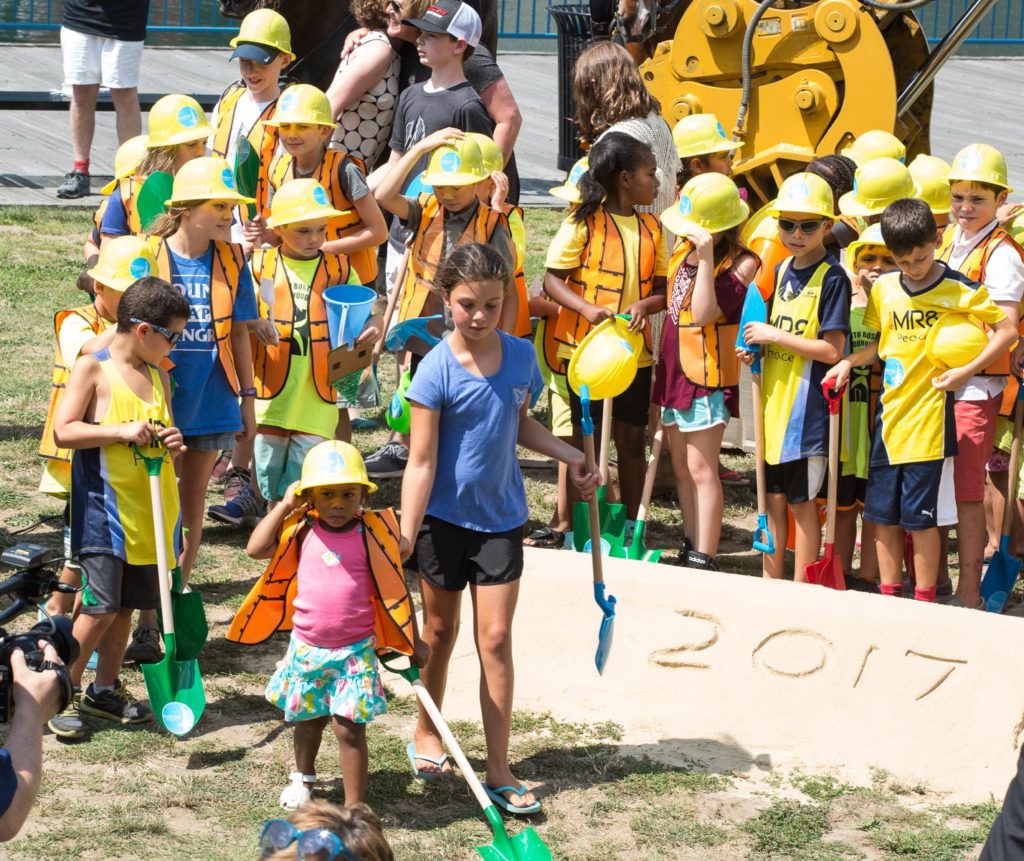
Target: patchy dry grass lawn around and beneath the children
pixel 140 793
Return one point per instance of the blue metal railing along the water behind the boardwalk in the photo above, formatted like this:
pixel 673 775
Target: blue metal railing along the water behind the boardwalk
pixel 20 20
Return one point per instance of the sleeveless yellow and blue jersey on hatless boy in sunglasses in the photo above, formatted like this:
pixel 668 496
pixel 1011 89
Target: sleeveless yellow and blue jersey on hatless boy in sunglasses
pixel 111 510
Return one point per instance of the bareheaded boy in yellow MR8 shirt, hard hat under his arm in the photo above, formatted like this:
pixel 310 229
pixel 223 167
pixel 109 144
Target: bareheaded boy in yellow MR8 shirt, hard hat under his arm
pixel 910 483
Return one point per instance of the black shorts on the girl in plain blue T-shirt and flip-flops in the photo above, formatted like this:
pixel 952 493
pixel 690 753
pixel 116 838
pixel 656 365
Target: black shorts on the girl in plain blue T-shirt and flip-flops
pixel 453 557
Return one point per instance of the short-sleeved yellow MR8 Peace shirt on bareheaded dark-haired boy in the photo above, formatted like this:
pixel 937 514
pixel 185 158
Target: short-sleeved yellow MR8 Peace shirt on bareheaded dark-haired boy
pixel 915 421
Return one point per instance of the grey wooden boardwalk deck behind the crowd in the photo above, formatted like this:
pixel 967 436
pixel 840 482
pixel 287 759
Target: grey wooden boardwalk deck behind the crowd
pixel 976 100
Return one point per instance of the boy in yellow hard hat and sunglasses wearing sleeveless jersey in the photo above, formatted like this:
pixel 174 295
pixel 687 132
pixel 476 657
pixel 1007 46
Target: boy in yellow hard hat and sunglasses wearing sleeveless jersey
pixel 809 314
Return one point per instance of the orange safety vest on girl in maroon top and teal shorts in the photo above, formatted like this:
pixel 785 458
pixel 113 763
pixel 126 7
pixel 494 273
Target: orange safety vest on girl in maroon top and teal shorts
pixel 707 354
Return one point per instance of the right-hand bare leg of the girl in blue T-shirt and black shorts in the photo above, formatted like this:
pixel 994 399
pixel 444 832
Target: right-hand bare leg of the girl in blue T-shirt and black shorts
pixel 493 610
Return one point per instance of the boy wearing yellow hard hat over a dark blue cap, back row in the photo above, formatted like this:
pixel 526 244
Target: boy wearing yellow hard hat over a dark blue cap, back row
pixel 264 49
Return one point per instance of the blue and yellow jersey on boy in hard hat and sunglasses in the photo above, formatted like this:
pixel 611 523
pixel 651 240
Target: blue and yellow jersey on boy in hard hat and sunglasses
pixel 807 304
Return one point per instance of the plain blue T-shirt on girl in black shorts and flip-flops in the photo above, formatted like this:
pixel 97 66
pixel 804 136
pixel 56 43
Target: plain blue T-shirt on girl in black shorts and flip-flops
pixel 479 485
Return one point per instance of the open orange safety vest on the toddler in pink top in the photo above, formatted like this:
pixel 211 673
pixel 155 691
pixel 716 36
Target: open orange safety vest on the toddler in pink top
pixel 270 606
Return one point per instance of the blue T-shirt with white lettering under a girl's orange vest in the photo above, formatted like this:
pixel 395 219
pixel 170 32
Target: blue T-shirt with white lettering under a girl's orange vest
pixel 204 401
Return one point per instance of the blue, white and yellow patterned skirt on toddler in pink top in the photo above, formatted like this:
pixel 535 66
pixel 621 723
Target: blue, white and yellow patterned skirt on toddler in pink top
pixel 318 683
